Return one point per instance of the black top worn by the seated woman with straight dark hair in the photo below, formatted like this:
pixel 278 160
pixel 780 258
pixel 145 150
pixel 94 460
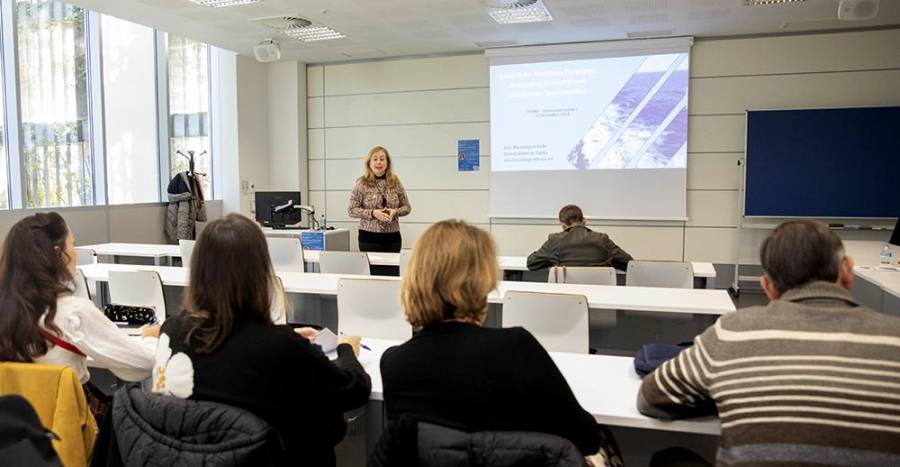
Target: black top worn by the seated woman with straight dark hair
pixel 276 374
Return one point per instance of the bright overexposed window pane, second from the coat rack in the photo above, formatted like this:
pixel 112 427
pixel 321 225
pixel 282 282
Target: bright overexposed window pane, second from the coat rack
pixel 129 109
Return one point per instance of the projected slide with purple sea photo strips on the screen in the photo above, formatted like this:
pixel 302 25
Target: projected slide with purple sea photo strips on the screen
pixel 608 113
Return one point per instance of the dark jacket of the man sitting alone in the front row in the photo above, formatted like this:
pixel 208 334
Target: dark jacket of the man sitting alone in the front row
pixel 578 246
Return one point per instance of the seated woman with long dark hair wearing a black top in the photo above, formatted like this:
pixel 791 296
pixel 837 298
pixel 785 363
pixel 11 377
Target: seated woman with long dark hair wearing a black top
pixel 224 348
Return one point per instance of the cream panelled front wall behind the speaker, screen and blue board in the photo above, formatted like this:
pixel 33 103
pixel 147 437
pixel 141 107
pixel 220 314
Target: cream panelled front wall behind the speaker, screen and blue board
pixel 419 108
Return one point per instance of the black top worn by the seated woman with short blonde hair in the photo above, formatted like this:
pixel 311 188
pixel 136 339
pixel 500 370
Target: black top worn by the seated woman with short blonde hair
pixel 473 378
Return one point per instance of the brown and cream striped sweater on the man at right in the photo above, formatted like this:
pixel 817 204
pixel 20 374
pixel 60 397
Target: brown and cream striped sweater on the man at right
pixel 812 378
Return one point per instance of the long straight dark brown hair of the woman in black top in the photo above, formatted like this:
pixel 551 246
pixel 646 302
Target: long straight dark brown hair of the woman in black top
pixel 231 278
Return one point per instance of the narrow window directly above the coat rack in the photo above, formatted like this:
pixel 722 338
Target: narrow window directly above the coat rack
pixel 189 107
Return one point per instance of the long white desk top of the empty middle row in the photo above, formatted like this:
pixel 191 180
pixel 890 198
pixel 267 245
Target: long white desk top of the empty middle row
pixel 700 301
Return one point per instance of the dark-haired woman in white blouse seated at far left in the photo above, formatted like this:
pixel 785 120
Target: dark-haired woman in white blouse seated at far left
pixel 40 320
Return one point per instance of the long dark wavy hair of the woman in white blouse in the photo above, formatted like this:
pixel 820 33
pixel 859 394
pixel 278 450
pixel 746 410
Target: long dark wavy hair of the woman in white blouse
pixel 33 273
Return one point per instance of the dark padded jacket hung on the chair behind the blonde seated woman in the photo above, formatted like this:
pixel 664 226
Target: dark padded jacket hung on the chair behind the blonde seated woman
pixel 426 445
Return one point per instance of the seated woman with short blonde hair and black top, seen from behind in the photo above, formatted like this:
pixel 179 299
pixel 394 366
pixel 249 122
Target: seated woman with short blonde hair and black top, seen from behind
pixel 459 374
